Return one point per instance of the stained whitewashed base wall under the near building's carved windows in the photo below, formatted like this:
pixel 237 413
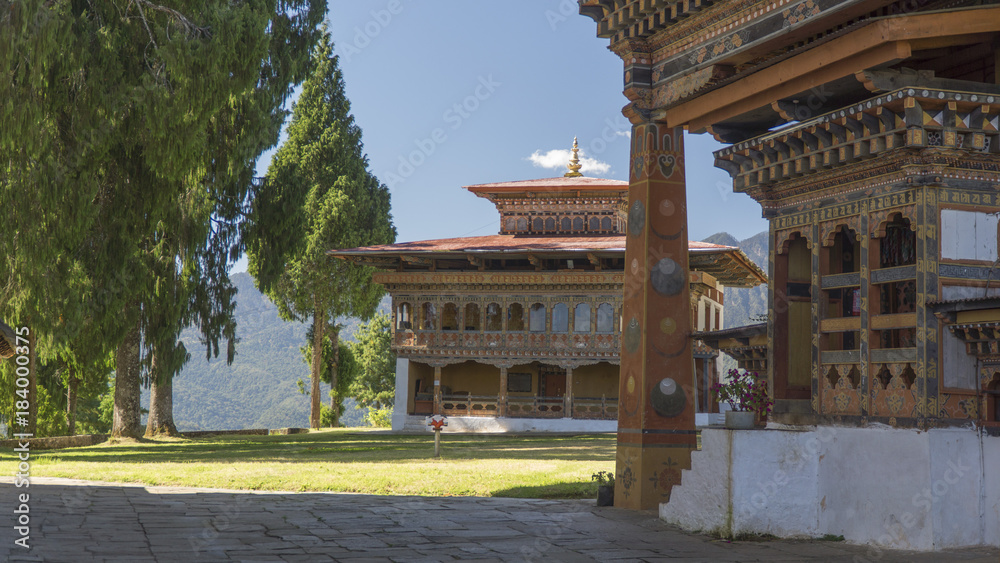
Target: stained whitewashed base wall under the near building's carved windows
pixel 895 488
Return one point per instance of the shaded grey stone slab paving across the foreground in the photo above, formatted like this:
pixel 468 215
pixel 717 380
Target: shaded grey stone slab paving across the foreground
pixel 78 521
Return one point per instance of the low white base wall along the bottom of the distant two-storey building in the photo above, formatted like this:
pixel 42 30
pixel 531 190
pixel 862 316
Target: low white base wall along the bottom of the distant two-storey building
pixel 488 424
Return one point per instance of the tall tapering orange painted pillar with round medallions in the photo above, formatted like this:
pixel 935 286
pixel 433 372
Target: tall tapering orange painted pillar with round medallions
pixel 656 432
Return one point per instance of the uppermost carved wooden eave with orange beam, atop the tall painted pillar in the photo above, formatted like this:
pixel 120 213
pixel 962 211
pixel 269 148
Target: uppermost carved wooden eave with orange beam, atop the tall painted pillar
pixel 735 68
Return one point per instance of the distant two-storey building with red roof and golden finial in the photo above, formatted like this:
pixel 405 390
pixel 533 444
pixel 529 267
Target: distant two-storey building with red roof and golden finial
pixel 522 330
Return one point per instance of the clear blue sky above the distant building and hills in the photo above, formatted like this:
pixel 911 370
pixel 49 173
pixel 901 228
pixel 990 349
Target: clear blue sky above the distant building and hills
pixel 451 93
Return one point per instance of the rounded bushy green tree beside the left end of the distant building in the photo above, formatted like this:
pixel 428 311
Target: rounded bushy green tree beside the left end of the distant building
pixel 375 383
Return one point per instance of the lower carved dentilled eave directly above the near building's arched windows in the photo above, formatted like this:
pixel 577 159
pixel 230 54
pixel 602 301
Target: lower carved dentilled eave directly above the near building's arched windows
pixel 809 161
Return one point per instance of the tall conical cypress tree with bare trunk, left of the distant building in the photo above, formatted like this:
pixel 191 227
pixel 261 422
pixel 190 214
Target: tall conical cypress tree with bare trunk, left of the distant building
pixel 319 195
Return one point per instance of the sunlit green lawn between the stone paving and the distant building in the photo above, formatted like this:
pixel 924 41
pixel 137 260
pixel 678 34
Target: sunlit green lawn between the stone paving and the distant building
pixel 528 466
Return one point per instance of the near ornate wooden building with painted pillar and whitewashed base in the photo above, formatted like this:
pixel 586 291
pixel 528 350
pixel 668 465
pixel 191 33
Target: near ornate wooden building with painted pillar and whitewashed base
pixel 867 130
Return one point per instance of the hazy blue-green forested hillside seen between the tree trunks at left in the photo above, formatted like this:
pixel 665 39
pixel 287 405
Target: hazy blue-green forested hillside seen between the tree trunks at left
pixel 259 389
